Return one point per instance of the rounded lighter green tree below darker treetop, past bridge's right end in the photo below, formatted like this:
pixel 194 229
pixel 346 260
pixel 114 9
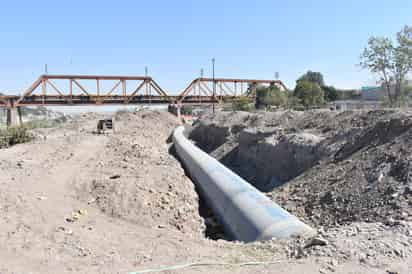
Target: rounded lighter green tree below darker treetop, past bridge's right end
pixel 309 94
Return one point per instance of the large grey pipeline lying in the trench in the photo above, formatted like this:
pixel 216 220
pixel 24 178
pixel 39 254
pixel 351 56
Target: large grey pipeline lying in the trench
pixel 246 213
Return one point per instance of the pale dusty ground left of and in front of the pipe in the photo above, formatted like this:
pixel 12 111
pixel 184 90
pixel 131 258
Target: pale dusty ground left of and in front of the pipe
pixel 72 201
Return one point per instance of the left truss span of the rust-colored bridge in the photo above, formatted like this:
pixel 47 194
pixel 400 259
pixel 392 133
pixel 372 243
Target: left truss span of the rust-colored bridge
pixel 46 91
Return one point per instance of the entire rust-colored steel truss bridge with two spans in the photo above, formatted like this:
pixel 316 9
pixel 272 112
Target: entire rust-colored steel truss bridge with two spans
pixel 99 90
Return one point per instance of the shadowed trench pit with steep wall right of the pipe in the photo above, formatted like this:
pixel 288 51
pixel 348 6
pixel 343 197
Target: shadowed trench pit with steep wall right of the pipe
pixel 266 159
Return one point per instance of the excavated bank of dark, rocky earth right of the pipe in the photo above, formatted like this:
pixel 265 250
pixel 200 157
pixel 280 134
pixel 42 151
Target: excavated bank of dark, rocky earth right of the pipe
pixel 328 168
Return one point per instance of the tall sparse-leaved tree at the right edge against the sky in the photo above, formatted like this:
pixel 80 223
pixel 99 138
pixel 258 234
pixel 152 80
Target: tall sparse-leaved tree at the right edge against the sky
pixel 391 62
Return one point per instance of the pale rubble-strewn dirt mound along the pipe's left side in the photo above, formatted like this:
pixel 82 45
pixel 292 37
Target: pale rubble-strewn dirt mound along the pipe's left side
pixel 160 194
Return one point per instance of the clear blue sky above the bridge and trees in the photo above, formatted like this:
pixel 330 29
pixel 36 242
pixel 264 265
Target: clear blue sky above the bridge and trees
pixel 249 39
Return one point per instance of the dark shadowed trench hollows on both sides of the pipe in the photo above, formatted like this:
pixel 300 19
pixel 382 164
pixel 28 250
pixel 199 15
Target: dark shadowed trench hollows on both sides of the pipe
pixel 250 158
